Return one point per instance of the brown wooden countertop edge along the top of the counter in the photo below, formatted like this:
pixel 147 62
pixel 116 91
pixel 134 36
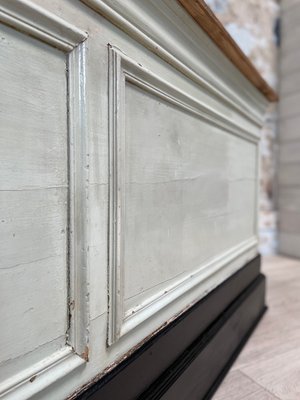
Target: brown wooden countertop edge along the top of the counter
pixel 204 17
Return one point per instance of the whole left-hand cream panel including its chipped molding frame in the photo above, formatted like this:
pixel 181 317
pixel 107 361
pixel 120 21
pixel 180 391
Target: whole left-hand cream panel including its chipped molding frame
pixel 40 203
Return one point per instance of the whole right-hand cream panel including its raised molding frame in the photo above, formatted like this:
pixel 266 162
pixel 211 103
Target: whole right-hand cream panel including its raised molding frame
pixel 161 176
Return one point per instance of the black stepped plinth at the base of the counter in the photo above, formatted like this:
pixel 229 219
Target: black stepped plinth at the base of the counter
pixel 189 358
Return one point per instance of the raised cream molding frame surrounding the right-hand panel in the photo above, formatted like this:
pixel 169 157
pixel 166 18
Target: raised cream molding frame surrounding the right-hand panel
pixel 122 69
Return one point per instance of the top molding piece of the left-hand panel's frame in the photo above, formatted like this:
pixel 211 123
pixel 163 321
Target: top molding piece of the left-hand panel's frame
pixel 29 18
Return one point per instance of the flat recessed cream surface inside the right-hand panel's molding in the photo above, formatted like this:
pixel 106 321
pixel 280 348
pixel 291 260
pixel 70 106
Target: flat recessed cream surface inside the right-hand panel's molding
pixel 190 194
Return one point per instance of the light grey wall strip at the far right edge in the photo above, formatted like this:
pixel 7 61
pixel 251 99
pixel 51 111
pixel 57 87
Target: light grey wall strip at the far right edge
pixel 289 132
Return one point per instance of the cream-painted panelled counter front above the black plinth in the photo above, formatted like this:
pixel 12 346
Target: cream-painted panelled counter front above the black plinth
pixel 129 182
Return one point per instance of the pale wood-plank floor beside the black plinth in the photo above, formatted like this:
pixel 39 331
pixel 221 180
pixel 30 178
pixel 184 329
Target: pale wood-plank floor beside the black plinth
pixel 269 366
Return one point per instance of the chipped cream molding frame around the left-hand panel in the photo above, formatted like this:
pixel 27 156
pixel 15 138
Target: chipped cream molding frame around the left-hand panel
pixel 36 22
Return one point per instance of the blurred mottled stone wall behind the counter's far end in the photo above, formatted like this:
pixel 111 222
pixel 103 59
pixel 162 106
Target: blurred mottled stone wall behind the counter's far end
pixel 252 23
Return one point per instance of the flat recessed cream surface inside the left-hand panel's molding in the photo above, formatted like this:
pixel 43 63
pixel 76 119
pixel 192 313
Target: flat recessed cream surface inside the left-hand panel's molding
pixel 33 194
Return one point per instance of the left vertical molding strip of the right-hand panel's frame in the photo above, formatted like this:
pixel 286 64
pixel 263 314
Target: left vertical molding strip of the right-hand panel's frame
pixel 116 177
